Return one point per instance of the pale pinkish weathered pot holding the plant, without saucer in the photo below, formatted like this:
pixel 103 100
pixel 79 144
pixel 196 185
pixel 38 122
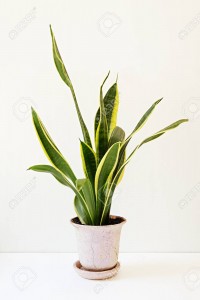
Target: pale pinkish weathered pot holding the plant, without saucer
pixel 98 246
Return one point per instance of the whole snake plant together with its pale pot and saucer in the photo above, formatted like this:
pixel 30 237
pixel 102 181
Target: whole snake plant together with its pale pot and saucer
pixel 98 232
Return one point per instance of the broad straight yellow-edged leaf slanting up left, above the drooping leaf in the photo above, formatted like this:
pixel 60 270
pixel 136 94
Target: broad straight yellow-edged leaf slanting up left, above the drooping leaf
pixel 51 151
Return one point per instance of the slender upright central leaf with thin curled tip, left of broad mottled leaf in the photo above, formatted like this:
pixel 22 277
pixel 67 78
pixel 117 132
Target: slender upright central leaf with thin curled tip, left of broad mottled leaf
pixel 101 138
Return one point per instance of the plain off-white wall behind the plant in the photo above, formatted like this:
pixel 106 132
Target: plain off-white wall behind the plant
pixel 154 46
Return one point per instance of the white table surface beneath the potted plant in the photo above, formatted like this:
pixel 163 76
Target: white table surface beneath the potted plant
pixel 142 276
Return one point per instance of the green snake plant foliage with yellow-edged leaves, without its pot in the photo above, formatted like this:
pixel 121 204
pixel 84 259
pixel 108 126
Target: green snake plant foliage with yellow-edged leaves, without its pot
pixel 104 163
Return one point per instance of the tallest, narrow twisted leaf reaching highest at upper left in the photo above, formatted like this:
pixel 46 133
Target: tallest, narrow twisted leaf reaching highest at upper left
pixel 65 77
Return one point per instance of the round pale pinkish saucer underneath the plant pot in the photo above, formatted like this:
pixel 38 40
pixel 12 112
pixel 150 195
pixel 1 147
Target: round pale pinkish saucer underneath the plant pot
pixel 95 275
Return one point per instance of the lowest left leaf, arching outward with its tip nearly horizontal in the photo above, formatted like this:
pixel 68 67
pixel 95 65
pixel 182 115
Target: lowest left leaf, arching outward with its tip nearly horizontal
pixel 80 201
